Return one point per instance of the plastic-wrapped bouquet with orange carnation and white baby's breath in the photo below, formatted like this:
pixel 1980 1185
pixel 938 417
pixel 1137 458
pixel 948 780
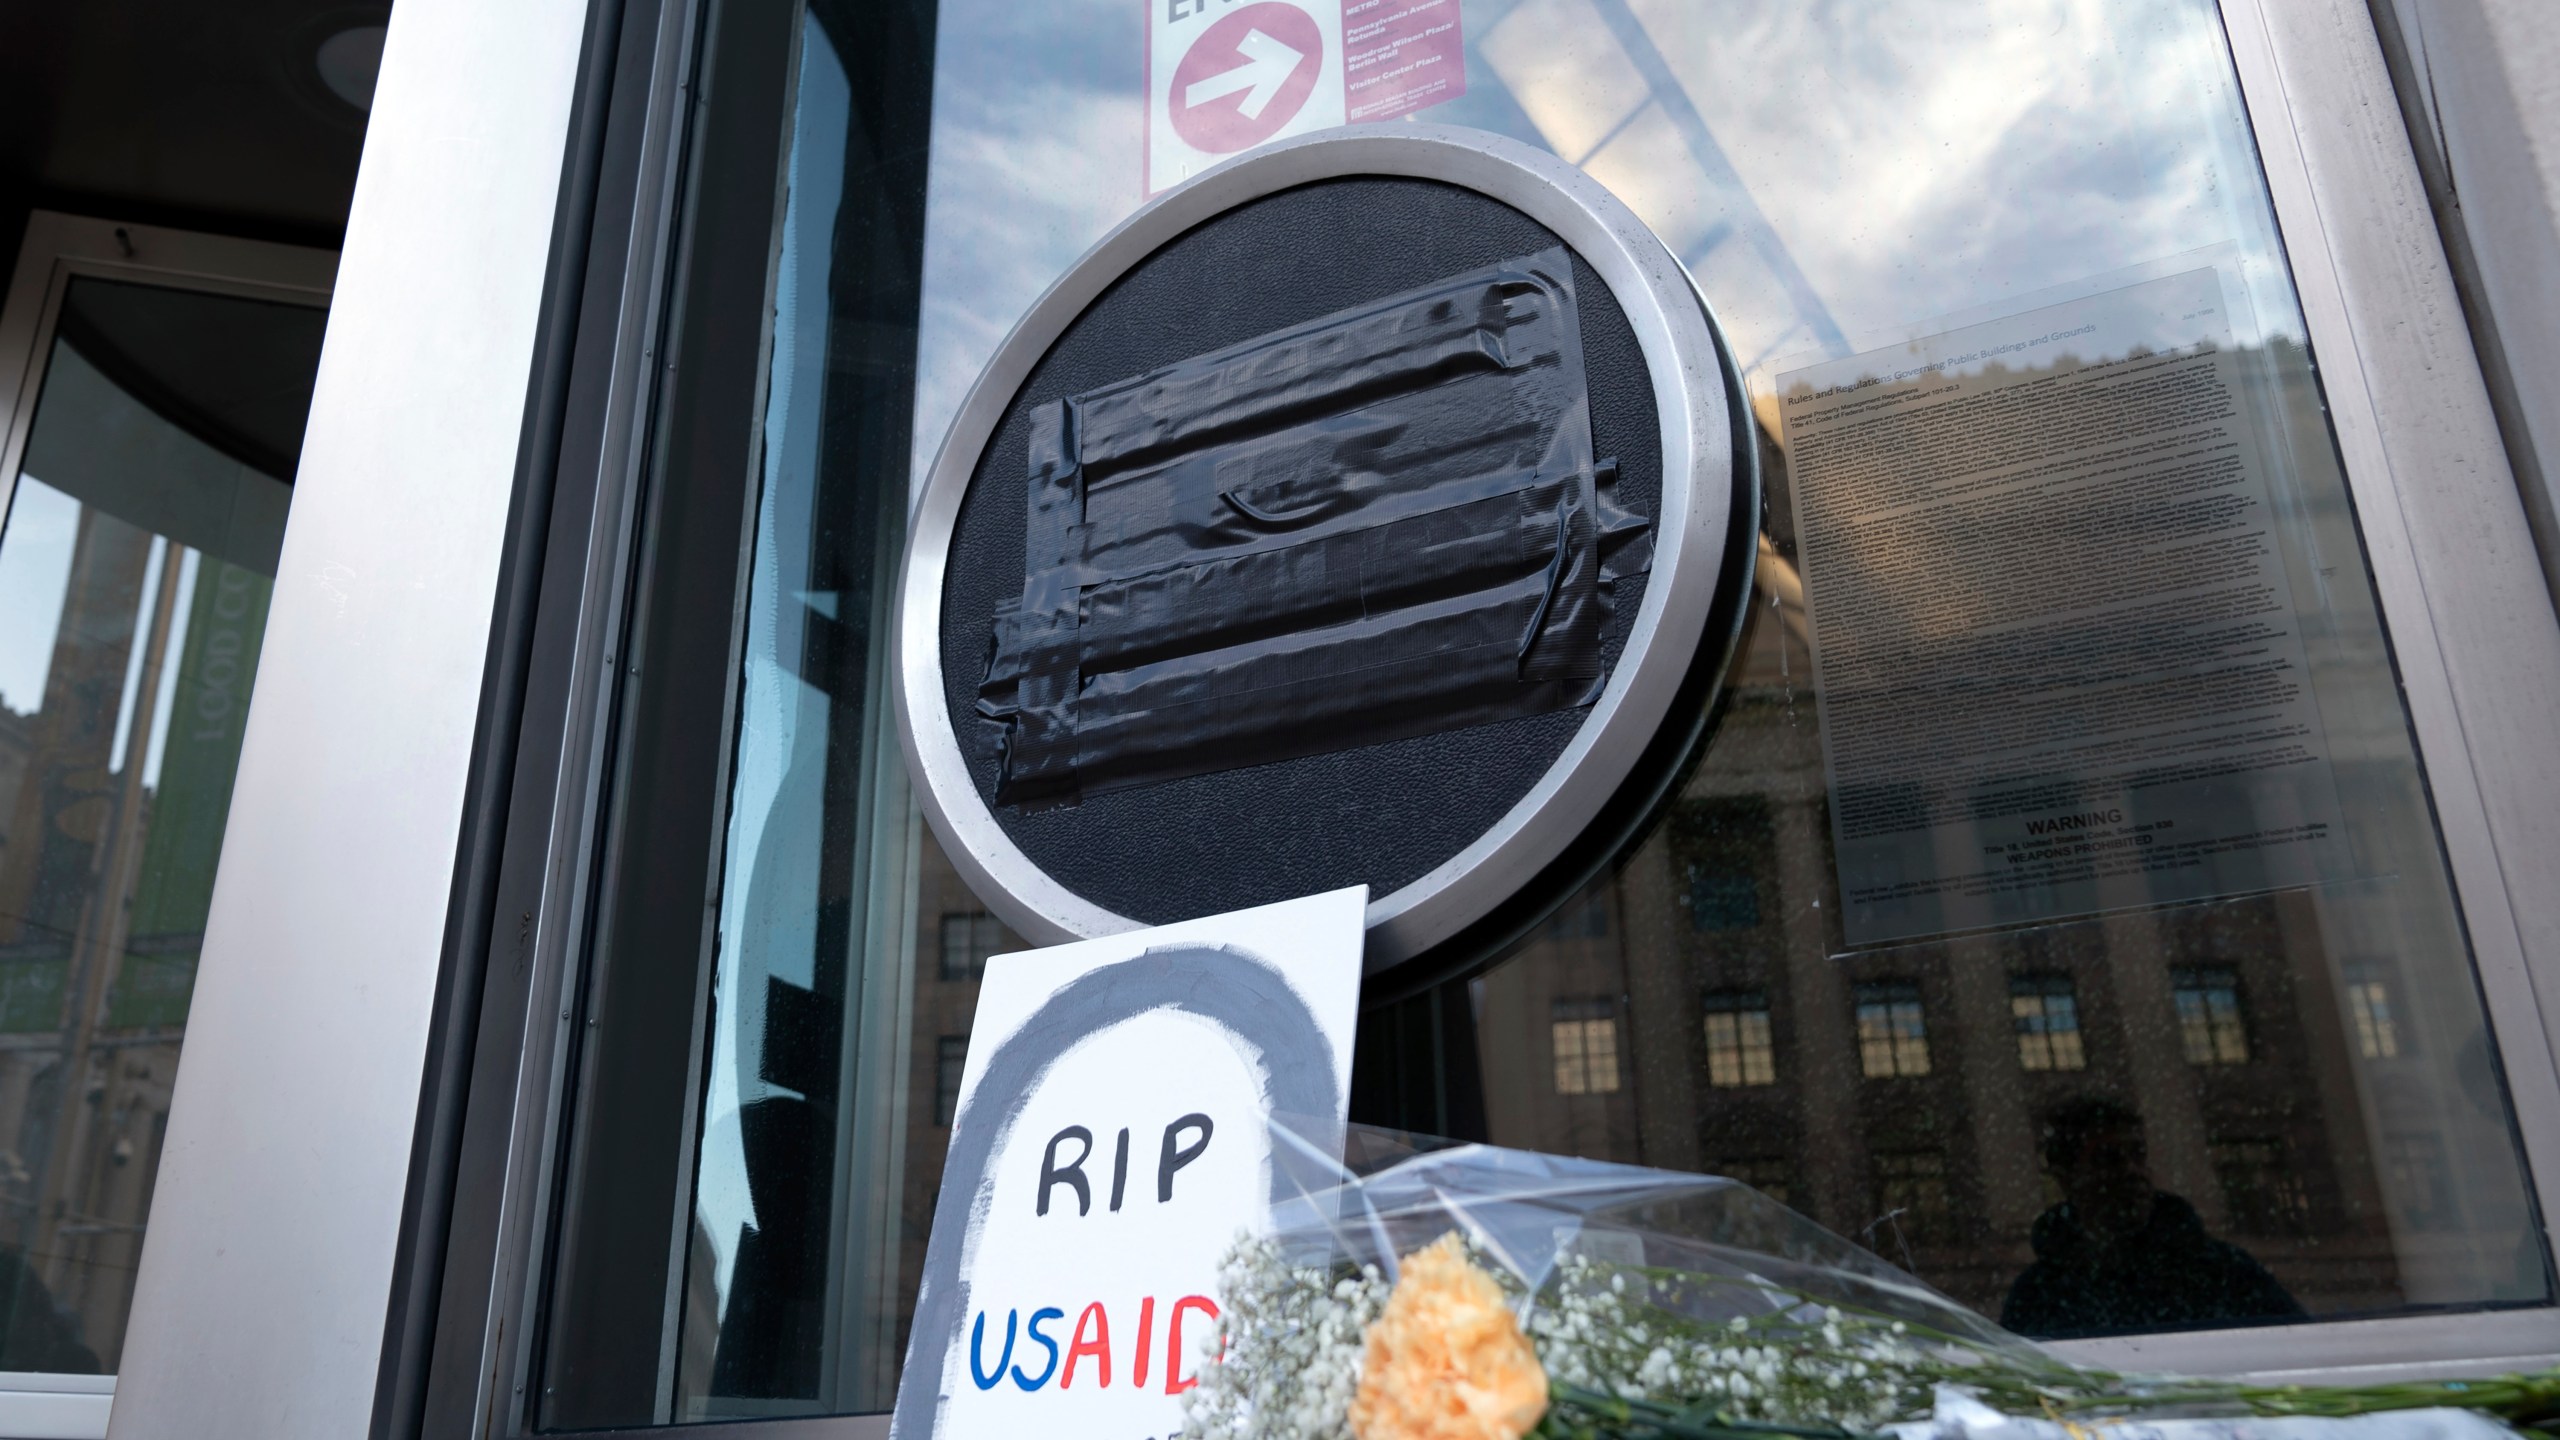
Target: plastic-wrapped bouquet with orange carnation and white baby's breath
pixel 1468 1293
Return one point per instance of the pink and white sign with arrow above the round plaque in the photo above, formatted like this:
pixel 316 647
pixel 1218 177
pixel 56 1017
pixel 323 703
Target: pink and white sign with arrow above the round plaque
pixel 1230 76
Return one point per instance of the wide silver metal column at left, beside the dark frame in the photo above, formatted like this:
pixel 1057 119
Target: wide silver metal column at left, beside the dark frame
pixel 273 1259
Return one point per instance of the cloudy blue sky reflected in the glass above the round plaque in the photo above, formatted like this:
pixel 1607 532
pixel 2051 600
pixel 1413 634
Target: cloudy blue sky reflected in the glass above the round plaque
pixel 1832 173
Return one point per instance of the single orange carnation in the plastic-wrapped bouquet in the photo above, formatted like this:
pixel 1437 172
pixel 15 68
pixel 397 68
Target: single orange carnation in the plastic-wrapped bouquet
pixel 1448 1359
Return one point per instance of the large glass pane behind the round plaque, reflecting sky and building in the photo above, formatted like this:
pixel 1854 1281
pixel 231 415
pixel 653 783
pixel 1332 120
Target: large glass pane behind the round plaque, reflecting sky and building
pixel 2188 1060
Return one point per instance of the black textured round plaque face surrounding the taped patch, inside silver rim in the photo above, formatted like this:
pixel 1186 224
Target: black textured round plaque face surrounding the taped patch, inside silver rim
pixel 1271 831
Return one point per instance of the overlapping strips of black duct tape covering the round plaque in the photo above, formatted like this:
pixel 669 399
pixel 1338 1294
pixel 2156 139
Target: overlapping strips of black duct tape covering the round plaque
pixel 1368 527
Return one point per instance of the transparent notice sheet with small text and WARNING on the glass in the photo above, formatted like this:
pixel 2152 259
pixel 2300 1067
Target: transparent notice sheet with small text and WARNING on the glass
pixel 2057 652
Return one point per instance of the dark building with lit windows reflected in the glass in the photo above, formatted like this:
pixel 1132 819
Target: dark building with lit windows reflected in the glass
pixel 1701 1011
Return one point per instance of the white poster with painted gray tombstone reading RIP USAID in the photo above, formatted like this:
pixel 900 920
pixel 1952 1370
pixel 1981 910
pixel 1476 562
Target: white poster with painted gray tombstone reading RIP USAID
pixel 1112 1139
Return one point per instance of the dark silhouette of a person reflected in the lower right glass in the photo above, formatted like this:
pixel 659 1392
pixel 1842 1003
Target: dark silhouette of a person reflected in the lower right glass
pixel 2121 1254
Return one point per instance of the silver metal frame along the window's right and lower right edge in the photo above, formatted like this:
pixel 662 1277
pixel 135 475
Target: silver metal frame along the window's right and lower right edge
pixel 2464 609
